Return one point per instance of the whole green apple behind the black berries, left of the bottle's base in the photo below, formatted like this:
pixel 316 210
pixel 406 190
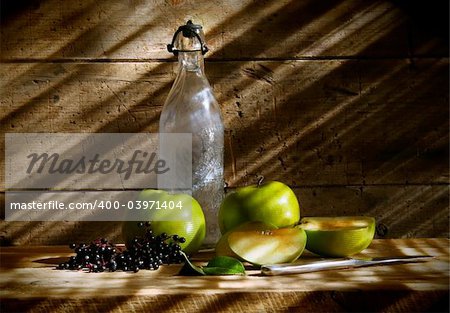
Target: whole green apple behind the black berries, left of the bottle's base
pixel 189 224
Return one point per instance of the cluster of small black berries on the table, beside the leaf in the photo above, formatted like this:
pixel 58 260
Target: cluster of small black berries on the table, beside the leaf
pixel 146 252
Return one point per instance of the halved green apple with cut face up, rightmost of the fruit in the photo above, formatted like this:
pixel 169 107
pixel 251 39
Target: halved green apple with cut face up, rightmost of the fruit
pixel 338 236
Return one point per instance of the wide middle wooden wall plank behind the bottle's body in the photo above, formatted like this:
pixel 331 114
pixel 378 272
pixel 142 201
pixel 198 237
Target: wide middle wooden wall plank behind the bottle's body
pixel 302 122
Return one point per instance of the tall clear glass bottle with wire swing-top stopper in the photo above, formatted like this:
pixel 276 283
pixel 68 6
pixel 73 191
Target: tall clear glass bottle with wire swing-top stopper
pixel 192 108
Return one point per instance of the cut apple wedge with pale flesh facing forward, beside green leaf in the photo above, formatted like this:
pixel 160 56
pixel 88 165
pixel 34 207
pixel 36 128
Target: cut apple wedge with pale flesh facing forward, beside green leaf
pixel 268 246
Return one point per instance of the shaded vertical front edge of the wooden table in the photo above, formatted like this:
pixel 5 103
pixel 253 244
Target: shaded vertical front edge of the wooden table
pixel 238 302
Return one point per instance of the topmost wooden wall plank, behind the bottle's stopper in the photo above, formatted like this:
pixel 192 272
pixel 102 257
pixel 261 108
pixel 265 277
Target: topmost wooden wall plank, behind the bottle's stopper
pixel 234 29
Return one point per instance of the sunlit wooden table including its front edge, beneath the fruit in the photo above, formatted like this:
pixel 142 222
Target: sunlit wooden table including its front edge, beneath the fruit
pixel 29 282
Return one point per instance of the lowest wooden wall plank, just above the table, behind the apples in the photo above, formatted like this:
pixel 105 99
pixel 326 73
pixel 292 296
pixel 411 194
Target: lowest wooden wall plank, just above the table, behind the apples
pixel 400 211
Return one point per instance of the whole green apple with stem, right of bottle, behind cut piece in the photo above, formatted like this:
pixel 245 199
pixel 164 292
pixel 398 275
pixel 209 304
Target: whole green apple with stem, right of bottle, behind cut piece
pixel 272 202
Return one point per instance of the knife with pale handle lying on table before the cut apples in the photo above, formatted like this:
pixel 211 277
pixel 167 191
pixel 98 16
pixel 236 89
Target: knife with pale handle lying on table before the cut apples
pixel 306 266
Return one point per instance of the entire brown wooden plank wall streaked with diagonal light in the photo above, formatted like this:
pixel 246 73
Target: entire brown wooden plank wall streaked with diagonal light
pixel 346 101
